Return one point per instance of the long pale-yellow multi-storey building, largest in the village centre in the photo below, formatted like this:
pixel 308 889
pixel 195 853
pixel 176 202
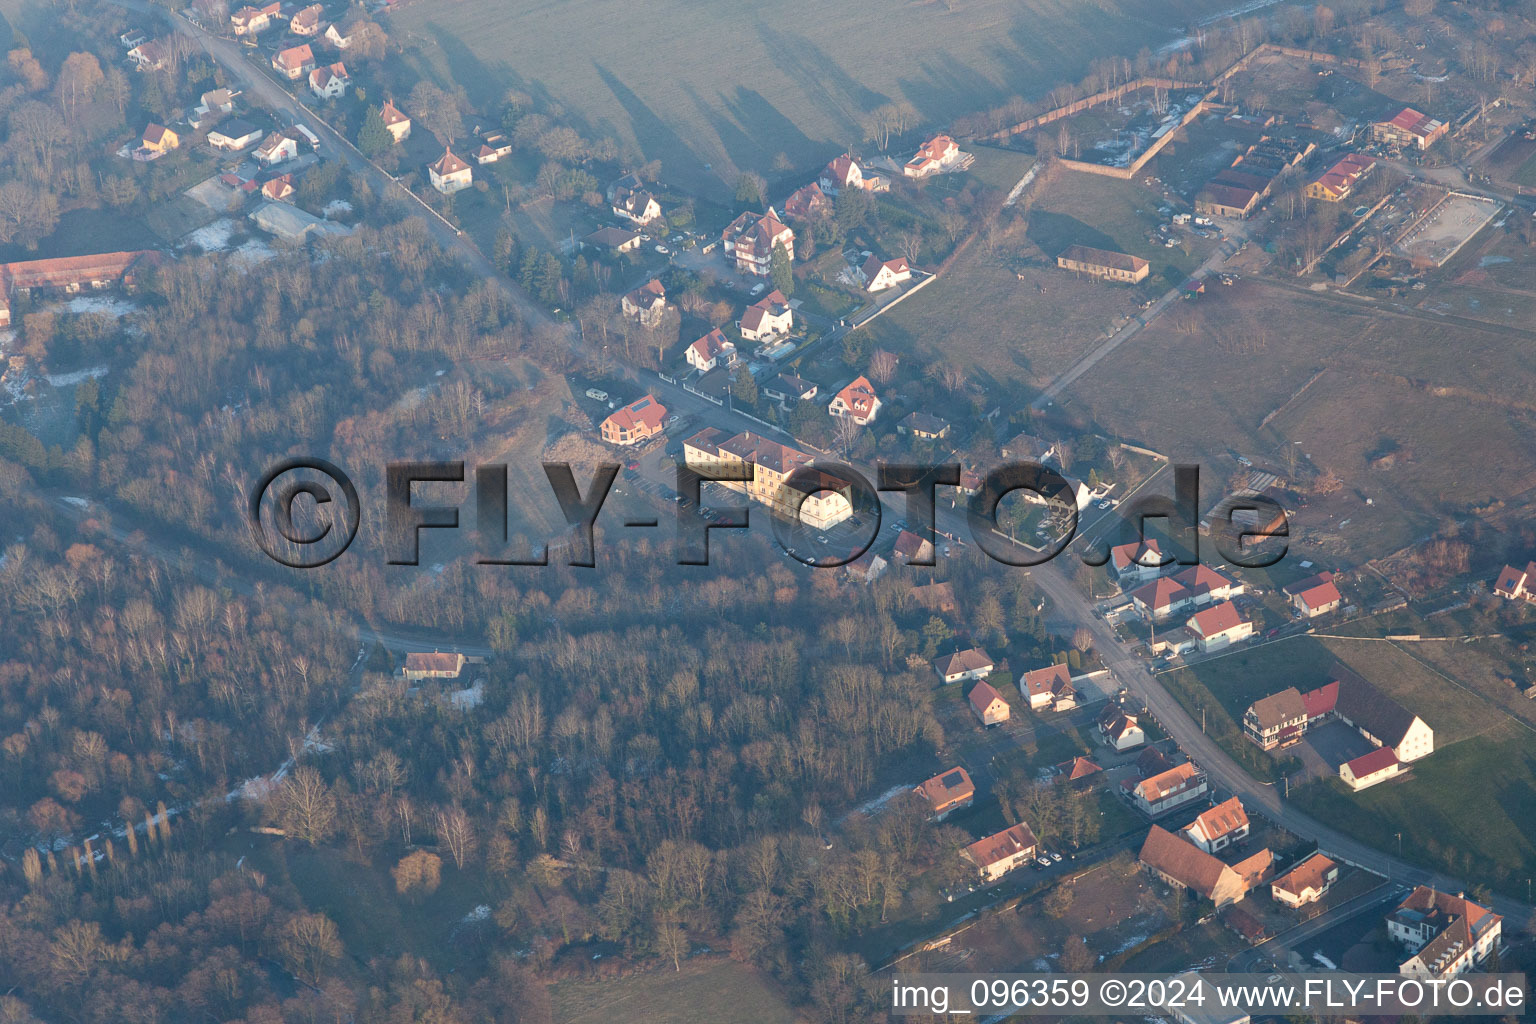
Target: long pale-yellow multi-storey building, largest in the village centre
pixel 823 500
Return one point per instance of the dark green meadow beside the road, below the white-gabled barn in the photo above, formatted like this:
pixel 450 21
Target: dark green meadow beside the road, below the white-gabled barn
pixel 1469 810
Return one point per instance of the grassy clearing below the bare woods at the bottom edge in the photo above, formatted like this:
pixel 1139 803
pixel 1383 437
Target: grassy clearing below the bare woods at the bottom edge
pixel 704 993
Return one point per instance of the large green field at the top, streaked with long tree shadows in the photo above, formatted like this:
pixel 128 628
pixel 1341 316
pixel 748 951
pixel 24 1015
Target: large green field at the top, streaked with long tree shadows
pixel 753 82
